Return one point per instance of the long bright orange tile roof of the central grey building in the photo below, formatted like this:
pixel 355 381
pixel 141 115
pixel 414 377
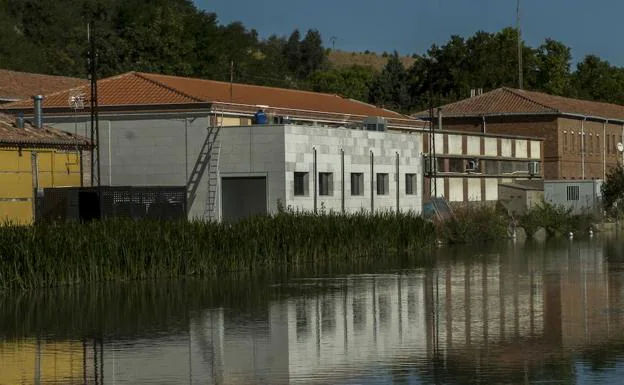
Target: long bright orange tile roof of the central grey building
pixel 152 90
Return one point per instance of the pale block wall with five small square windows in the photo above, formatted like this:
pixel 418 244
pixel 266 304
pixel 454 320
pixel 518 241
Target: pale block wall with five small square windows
pixel 301 141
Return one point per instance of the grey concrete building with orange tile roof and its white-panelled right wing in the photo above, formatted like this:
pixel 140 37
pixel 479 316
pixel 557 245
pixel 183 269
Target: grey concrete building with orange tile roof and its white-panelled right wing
pixel 165 130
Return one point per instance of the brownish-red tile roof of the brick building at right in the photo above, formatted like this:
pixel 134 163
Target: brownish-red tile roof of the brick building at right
pixel 521 102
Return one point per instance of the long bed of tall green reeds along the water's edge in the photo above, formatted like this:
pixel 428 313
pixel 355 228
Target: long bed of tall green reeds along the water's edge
pixel 48 254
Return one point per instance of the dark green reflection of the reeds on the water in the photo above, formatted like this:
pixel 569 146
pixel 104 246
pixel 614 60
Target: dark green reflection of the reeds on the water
pixel 151 307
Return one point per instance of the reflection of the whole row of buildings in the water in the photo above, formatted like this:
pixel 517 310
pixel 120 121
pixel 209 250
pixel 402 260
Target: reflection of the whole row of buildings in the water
pixel 508 314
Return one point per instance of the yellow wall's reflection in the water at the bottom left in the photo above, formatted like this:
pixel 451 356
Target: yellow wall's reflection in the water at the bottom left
pixel 58 362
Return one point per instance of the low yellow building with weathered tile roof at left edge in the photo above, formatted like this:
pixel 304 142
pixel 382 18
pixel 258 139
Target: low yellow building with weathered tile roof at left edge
pixel 32 158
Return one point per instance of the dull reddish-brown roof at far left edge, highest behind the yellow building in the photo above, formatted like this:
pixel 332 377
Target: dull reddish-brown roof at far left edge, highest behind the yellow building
pixel 22 85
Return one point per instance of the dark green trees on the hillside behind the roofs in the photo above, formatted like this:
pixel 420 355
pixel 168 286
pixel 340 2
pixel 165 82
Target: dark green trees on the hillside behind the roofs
pixel 175 37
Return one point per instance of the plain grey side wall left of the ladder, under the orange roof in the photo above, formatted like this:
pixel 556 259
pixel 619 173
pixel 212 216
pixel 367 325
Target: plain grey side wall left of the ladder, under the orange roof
pixel 149 151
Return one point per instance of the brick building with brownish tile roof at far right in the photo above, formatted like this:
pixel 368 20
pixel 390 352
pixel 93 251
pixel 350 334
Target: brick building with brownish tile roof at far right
pixel 580 137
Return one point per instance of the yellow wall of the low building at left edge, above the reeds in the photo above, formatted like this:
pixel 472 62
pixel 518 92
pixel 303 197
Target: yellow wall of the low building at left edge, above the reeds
pixel 56 169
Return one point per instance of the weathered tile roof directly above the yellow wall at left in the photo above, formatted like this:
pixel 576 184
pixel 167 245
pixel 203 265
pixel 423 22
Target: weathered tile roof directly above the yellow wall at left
pixel 29 136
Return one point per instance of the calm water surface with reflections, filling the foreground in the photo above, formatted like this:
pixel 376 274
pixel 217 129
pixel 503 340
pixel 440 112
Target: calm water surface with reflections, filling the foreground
pixel 515 314
